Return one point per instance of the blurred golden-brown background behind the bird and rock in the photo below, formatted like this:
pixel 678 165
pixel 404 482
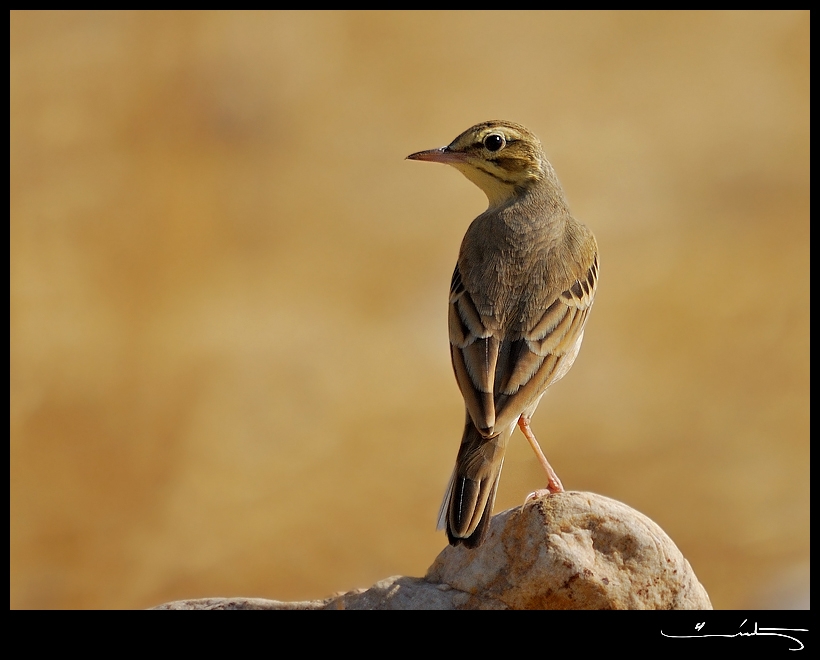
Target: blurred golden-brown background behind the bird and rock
pixel 229 362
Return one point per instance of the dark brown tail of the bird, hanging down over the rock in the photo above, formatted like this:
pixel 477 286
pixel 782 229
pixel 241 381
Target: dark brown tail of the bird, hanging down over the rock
pixel 468 502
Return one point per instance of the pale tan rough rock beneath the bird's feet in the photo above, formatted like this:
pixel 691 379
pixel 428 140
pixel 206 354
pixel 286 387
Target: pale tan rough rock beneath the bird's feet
pixel 566 551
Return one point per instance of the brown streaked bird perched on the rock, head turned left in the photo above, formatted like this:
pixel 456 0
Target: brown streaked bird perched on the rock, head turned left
pixel 520 296
